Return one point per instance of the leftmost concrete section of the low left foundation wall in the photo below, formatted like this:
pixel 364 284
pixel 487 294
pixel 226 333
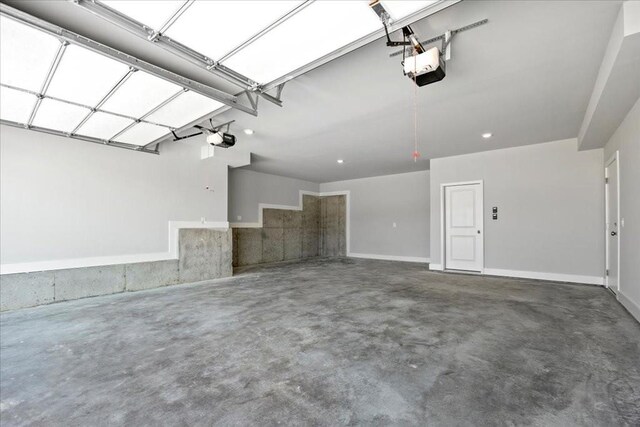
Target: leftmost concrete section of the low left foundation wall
pixel 26 290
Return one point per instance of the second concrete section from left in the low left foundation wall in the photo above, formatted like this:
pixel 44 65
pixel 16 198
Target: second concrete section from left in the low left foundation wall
pixel 77 283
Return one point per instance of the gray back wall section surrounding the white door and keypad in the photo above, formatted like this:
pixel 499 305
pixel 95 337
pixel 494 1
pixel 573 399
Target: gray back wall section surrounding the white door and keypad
pixel 551 206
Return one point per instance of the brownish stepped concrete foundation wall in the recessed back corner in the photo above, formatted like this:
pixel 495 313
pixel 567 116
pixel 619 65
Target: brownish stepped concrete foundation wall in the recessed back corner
pixel 318 230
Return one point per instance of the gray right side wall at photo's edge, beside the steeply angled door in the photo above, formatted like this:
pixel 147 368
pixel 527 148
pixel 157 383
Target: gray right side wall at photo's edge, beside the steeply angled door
pixel 627 140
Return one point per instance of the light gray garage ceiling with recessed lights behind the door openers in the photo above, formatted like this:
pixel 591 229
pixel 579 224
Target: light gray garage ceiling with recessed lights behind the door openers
pixel 526 77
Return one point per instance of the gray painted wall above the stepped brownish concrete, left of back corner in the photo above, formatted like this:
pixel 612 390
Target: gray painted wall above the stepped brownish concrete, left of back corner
pixel 247 189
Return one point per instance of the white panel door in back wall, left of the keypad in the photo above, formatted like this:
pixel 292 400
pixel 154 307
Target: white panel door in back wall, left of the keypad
pixel 464 248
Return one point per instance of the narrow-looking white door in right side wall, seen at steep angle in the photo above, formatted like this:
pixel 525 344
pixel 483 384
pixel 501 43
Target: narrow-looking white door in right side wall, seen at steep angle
pixel 612 225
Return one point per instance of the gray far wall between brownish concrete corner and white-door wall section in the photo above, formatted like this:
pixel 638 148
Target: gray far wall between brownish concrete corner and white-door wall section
pixel 376 203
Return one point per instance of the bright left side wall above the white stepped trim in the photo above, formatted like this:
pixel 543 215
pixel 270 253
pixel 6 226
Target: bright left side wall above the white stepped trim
pixel 65 199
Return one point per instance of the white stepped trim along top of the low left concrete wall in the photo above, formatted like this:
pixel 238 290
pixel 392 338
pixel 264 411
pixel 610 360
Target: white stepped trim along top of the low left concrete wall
pixel 61 264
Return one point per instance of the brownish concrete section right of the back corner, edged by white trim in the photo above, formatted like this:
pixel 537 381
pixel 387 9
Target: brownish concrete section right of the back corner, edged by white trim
pixel 333 217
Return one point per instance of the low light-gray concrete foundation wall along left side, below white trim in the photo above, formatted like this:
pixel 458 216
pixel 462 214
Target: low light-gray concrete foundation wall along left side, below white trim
pixel 205 254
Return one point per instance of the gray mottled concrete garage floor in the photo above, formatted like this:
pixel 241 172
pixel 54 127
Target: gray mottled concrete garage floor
pixel 326 342
